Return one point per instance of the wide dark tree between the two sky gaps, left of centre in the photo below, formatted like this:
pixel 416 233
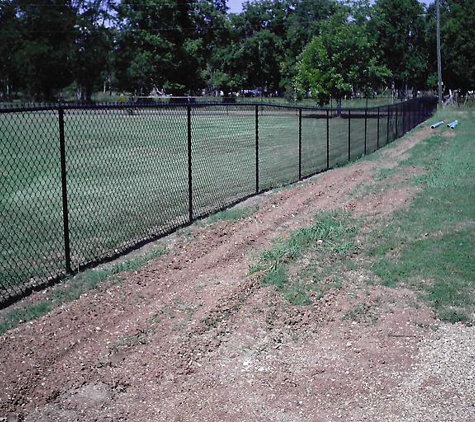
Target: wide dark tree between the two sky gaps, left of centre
pixel 168 43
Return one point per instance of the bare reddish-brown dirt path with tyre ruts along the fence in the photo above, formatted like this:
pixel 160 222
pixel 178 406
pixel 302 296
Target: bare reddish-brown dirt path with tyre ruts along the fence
pixel 192 337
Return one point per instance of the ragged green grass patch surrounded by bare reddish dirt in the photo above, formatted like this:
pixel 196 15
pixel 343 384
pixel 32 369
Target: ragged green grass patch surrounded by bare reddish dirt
pixel 328 240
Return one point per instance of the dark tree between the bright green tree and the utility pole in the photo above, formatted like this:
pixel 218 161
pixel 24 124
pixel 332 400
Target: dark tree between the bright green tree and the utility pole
pixel 399 28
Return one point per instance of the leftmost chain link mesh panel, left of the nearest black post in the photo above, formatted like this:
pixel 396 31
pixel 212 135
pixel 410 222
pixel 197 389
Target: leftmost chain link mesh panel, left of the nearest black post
pixel 31 240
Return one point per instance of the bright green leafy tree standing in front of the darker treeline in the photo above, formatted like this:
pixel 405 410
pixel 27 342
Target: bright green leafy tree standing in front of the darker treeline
pixel 339 62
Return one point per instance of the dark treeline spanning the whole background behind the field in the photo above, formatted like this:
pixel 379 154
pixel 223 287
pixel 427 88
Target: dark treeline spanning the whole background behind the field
pixel 52 47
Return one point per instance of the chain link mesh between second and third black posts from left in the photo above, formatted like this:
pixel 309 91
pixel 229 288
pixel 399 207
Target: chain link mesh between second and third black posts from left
pixel 223 153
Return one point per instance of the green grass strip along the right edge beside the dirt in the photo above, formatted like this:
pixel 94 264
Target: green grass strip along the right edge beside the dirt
pixel 431 246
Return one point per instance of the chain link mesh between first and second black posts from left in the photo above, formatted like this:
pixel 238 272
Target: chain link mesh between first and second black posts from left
pixel 127 177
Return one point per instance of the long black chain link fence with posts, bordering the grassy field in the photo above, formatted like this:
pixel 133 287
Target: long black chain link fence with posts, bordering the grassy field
pixel 83 184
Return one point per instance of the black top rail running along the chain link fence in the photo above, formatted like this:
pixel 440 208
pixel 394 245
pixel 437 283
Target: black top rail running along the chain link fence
pixel 161 105
